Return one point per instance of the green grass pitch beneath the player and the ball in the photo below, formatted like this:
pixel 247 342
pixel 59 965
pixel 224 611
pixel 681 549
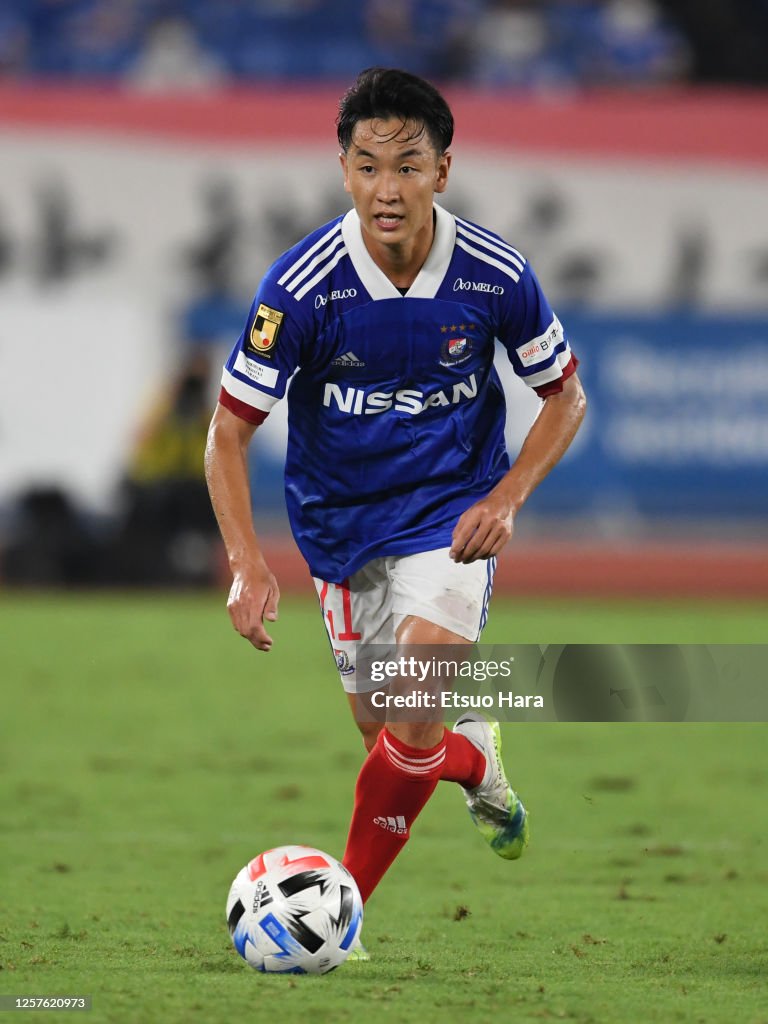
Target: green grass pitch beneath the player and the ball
pixel 147 753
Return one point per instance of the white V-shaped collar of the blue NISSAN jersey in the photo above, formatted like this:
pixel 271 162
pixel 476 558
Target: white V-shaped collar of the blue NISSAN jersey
pixel 430 278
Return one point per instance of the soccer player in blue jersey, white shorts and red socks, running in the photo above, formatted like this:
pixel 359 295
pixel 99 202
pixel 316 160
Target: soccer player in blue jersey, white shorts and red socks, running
pixel 399 485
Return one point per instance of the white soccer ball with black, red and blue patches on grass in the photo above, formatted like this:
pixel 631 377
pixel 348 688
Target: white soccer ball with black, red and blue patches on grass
pixel 294 911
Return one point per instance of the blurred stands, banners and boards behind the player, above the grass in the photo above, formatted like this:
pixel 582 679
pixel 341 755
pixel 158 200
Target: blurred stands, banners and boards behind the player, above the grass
pixel 156 157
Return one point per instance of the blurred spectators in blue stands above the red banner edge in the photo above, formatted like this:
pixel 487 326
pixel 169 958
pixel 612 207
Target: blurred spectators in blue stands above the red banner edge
pixel 536 45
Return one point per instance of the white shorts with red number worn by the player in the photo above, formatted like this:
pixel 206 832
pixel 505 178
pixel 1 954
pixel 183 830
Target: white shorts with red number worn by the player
pixel 370 607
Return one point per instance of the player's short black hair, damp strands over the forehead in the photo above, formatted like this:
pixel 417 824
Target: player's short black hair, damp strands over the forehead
pixel 389 93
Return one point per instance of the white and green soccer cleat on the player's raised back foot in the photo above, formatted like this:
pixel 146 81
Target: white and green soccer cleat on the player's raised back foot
pixel 494 806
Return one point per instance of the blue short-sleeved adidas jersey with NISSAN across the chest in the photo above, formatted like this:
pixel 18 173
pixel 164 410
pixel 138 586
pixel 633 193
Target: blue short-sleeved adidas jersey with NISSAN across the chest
pixel 397 415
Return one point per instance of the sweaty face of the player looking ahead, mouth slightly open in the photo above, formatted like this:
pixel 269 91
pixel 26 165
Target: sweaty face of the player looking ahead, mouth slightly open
pixel 393 172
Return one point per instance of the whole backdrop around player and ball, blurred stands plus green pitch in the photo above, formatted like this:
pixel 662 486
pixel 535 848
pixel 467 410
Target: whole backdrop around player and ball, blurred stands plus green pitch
pixel 154 158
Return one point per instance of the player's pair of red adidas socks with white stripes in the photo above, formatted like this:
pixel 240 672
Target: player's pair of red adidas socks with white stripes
pixel 395 784
